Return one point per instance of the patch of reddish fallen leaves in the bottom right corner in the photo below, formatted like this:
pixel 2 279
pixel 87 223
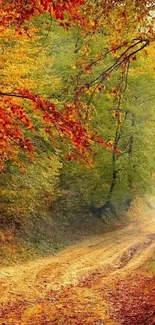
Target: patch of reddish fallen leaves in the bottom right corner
pixel 132 301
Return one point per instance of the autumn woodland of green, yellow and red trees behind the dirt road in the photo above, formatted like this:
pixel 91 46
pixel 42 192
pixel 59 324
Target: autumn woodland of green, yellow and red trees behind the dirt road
pixel 53 190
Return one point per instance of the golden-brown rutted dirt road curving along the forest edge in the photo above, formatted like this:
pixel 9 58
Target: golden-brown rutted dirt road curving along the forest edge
pixel 77 286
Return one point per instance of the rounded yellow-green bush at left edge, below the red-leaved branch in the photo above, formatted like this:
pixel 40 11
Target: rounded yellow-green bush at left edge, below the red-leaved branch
pixel 21 198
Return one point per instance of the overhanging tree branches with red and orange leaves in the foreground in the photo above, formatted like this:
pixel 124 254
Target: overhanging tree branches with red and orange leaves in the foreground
pixel 95 17
